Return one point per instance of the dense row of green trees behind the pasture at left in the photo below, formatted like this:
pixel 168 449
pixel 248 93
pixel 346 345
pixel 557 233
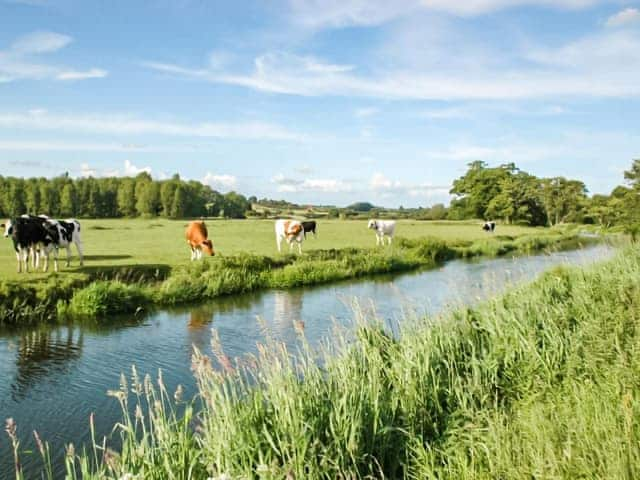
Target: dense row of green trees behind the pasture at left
pixel 113 197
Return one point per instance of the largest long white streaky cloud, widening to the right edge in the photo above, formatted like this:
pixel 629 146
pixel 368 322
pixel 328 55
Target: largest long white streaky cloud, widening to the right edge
pixel 602 65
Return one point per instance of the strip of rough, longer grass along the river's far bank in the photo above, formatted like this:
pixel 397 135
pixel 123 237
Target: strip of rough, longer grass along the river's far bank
pixel 103 291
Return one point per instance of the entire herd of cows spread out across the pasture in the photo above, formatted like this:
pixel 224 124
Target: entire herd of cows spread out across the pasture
pixel 36 237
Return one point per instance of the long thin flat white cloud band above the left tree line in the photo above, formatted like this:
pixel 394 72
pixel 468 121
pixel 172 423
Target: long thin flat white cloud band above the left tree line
pixel 128 125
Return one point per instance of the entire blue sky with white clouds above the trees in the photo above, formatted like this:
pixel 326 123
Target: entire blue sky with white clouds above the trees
pixel 320 101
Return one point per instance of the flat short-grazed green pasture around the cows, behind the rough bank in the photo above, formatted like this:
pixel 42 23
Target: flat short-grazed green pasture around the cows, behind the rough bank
pixel 135 242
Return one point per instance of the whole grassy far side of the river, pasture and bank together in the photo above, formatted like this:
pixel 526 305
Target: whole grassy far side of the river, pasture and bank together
pixel 142 264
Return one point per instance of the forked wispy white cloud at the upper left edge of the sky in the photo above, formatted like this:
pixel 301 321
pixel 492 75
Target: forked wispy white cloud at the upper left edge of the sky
pixel 22 60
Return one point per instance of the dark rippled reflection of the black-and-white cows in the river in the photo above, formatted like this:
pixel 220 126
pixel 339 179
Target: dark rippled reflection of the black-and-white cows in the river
pixel 43 352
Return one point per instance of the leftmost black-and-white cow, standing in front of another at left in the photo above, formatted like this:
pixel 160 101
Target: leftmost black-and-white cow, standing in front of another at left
pixel 29 234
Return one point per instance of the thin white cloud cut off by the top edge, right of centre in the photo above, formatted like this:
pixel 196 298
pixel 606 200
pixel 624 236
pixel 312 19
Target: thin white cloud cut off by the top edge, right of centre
pixel 341 13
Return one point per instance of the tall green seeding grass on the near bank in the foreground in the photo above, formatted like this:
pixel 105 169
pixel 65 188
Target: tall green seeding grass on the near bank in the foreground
pixel 542 382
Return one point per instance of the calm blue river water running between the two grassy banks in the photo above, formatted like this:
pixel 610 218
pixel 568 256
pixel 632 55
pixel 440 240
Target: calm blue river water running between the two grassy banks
pixel 52 378
